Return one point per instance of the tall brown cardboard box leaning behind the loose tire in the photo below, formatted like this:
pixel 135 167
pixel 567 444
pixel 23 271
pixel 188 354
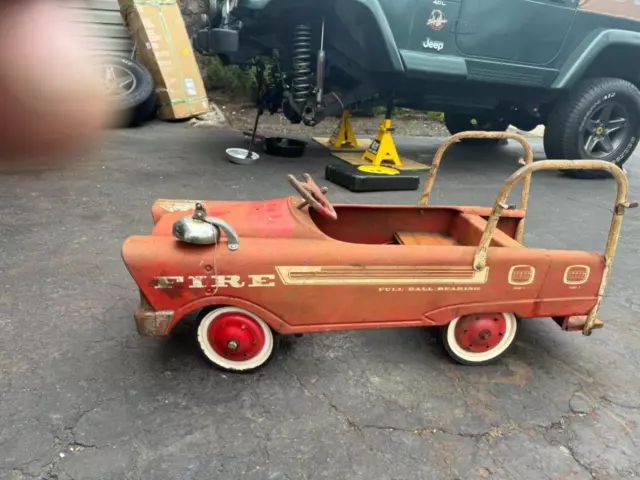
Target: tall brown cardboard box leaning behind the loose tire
pixel 164 47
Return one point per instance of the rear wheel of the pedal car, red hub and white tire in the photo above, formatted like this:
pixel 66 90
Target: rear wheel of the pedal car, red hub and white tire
pixel 480 339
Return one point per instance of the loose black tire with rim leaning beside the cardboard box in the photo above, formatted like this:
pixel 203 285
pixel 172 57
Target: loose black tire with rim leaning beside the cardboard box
pixel 131 89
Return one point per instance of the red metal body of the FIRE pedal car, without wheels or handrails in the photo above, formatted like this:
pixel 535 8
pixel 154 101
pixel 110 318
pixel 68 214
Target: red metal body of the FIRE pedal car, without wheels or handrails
pixel 311 274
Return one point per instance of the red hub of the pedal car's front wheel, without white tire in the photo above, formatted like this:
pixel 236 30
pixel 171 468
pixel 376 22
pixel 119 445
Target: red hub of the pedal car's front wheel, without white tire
pixel 236 336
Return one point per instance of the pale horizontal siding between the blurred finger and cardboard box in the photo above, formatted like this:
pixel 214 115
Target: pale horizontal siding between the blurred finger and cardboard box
pixel 102 25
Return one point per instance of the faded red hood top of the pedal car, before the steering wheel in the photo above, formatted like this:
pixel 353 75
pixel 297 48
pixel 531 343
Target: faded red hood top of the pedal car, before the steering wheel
pixel 279 218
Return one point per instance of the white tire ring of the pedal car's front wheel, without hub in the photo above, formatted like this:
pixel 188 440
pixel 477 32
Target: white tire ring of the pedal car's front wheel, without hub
pixel 260 360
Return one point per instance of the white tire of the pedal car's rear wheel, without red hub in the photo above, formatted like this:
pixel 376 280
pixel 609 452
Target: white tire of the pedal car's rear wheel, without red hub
pixel 466 357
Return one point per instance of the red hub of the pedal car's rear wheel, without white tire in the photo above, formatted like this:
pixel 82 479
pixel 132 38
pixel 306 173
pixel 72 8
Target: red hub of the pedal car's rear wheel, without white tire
pixel 480 333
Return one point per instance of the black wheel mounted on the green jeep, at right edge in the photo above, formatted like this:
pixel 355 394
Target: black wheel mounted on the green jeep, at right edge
pixel 571 123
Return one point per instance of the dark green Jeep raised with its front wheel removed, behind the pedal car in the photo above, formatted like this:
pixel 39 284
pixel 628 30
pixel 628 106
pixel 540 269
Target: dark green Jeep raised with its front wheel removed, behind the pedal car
pixel 571 65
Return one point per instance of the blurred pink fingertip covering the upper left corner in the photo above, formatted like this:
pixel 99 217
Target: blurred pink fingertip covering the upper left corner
pixel 52 101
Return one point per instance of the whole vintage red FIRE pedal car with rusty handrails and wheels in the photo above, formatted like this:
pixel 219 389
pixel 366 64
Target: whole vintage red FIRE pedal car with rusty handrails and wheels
pixel 258 269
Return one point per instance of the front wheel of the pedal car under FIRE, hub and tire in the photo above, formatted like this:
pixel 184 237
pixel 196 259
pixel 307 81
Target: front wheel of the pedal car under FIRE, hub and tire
pixel 236 340
